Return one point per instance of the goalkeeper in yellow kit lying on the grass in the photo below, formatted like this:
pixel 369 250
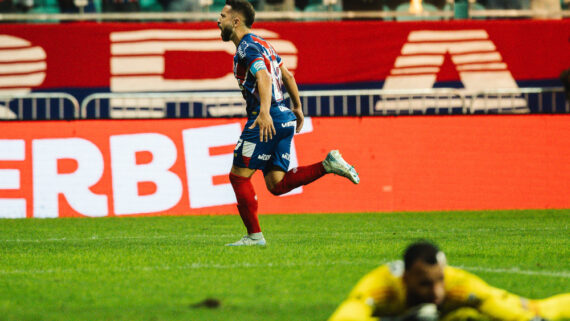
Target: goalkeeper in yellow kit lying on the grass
pixel 424 288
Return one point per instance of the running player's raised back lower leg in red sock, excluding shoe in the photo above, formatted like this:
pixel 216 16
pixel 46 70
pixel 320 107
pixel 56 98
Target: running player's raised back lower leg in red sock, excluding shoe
pixel 278 182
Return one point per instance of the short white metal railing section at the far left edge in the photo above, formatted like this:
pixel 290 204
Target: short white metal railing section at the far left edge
pixel 14 106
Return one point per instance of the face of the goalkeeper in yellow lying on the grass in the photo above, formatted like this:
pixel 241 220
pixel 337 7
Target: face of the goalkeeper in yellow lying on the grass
pixel 425 283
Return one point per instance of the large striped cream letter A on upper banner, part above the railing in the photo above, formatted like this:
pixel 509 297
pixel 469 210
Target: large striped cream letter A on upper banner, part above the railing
pixel 479 64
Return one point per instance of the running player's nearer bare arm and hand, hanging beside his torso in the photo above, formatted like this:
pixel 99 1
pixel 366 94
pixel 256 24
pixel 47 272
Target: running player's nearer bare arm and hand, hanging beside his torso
pixel 263 120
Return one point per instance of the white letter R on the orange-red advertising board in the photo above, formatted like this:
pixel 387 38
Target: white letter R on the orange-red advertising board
pixel 48 183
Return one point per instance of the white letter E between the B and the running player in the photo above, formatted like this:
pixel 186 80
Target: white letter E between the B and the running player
pixel 201 167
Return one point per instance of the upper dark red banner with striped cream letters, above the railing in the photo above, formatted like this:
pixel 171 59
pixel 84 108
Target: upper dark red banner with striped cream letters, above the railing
pixel 190 56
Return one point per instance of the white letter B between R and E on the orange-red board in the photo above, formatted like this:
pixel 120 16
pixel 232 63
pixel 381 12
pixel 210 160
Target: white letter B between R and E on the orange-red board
pixel 127 174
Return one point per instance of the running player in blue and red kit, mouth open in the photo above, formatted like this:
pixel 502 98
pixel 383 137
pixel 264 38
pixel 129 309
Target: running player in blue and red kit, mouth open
pixel 265 142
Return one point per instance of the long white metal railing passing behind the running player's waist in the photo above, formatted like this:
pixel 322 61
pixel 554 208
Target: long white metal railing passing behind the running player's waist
pixel 327 103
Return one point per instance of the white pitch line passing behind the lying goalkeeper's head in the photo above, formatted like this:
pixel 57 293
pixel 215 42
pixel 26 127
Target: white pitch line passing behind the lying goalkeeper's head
pixel 199 266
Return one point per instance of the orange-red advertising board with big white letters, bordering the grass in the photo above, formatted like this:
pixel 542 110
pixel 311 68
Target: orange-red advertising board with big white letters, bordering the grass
pixel 180 167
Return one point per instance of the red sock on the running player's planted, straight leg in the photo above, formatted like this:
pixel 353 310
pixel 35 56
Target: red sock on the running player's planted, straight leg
pixel 247 202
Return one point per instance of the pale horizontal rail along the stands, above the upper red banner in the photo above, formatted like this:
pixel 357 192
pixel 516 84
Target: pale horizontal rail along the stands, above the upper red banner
pixel 279 15
